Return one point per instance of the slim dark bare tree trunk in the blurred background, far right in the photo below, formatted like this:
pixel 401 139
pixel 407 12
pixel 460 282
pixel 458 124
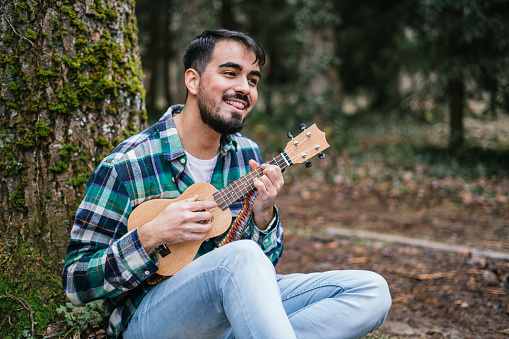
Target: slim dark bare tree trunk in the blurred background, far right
pixel 456 112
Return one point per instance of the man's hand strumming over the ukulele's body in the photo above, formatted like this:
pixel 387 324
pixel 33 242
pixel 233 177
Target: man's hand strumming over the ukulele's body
pixel 180 221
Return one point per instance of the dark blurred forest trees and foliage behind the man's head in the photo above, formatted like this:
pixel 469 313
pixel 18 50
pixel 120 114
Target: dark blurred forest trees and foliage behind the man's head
pixel 434 60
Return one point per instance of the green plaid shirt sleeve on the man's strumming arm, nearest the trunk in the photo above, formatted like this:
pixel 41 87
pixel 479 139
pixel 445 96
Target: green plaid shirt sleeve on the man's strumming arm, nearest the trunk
pixel 103 259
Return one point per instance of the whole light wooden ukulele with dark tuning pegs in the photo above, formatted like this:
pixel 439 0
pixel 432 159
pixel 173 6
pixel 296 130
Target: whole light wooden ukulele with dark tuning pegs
pixel 173 257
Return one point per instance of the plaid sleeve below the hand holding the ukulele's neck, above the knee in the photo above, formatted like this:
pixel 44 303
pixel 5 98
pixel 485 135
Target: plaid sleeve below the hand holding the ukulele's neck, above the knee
pixel 270 240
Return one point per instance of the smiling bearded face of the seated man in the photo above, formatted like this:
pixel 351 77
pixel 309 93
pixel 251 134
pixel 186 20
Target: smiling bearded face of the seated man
pixel 227 90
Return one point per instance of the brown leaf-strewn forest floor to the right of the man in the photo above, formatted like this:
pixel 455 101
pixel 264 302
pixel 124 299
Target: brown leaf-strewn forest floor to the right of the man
pixel 436 293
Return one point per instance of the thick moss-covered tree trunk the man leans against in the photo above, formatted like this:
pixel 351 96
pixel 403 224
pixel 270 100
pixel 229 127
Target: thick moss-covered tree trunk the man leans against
pixel 71 89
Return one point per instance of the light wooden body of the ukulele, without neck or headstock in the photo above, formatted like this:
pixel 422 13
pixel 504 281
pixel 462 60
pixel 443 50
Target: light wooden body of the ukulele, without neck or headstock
pixel 184 252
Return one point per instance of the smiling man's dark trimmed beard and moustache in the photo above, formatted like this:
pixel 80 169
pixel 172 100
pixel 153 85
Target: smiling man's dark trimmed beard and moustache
pixel 221 122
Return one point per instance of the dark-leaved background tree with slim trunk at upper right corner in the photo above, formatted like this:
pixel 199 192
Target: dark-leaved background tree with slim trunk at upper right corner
pixel 461 47
